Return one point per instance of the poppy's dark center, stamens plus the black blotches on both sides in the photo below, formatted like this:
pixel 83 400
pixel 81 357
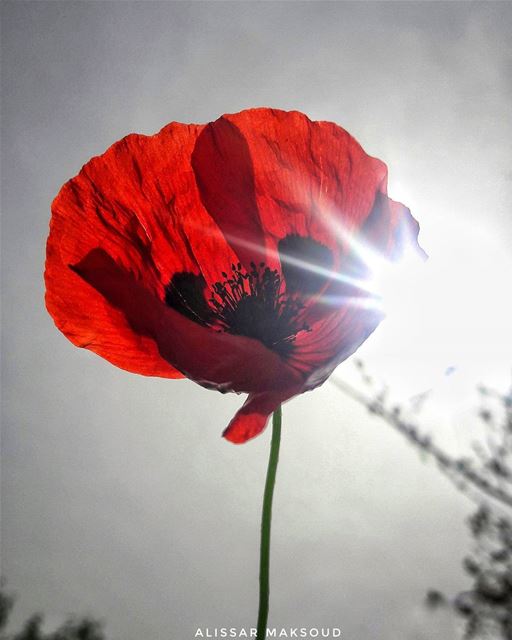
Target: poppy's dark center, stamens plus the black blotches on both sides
pixel 258 303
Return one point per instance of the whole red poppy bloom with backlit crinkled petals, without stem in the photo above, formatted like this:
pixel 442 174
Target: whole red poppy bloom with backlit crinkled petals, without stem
pixel 227 253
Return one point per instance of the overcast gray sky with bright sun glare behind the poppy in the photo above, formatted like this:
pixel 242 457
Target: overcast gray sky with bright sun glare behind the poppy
pixel 119 497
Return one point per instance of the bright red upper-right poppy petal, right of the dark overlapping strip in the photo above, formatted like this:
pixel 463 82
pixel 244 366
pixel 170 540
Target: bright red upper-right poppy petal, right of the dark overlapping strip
pixel 311 179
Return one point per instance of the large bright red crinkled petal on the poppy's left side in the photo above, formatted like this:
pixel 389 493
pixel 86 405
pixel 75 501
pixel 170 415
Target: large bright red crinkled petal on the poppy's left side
pixel 139 203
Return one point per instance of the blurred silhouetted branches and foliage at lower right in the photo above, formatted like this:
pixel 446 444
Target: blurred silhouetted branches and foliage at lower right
pixel 486 477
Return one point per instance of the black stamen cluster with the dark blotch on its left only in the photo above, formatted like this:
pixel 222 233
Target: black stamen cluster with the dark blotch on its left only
pixel 246 303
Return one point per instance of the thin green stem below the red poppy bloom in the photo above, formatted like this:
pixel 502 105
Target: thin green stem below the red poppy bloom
pixel 266 519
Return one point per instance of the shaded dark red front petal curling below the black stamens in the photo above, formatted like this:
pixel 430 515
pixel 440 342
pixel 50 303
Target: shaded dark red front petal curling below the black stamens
pixel 211 358
